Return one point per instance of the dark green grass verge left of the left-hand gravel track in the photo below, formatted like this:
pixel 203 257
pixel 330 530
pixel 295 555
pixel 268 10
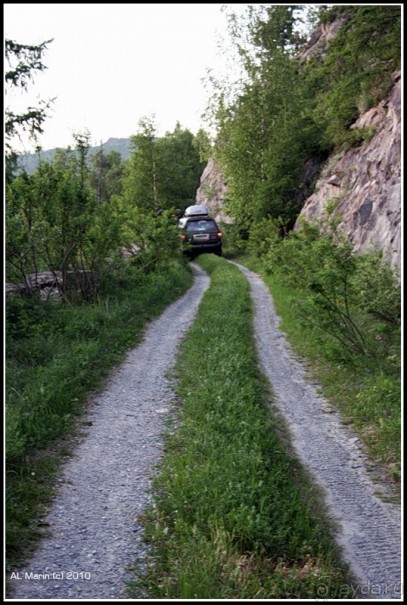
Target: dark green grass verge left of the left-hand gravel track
pixel 56 356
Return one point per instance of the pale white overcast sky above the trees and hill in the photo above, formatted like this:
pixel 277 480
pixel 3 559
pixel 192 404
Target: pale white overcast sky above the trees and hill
pixel 111 64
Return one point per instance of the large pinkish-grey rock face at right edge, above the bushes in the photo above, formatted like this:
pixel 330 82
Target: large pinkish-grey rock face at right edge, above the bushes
pixel 363 184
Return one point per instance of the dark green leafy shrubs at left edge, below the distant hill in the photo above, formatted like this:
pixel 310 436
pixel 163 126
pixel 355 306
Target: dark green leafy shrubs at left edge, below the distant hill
pixel 54 222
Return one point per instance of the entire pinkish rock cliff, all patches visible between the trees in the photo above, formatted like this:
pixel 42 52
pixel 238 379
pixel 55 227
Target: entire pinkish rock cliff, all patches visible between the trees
pixel 361 186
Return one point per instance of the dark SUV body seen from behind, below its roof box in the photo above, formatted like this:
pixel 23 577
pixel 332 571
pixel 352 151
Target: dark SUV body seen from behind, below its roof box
pixel 200 234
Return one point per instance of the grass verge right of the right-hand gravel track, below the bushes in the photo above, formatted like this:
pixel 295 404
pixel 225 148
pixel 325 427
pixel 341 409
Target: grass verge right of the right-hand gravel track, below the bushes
pixel 366 389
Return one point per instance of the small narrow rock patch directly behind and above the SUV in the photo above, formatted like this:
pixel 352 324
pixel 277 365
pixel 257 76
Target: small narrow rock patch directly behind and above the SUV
pixel 211 192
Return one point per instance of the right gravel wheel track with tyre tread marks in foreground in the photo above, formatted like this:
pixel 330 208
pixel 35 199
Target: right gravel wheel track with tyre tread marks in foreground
pixel 369 530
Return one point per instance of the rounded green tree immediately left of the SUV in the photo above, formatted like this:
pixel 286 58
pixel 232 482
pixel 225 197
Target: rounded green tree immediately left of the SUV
pixel 162 175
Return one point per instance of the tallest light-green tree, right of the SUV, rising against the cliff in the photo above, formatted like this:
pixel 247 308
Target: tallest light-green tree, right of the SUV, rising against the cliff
pixel 266 134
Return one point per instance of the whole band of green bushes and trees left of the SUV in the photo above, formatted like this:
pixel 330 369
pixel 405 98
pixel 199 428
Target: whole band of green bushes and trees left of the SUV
pixel 77 215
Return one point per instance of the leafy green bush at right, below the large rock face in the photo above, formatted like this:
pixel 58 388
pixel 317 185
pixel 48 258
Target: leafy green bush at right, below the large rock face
pixel 353 297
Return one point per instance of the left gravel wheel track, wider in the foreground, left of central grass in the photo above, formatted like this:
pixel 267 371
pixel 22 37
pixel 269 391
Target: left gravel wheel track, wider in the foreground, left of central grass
pixel 95 533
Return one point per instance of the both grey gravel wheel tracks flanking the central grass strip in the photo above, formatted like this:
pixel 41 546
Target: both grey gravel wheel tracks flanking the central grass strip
pixel 107 483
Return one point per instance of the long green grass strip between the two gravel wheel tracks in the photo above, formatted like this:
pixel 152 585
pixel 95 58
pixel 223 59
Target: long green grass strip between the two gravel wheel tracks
pixel 234 514
